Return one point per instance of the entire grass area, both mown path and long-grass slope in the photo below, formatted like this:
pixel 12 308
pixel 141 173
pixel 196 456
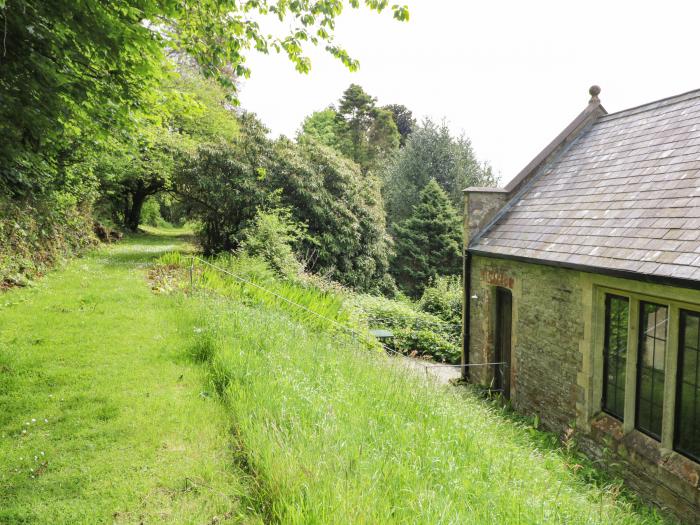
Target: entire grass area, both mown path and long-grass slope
pixel 197 408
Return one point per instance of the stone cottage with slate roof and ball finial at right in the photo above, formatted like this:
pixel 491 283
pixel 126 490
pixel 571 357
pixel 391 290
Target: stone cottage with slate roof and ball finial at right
pixel 582 291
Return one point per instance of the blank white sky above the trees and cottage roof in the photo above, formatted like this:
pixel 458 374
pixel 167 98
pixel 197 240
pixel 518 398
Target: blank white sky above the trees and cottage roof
pixel 510 74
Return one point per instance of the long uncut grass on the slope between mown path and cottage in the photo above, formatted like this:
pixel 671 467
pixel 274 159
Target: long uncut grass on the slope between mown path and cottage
pixel 332 433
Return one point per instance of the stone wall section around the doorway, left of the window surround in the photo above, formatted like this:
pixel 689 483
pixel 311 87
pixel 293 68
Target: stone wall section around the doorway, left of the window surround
pixel 547 328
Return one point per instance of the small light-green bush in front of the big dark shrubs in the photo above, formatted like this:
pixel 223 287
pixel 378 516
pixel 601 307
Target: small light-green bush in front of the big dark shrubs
pixel 271 236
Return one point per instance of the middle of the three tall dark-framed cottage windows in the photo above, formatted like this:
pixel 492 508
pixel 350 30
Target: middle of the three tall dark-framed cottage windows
pixel 651 360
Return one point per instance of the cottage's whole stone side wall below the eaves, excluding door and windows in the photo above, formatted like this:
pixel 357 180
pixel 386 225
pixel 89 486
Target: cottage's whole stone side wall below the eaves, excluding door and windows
pixel 555 370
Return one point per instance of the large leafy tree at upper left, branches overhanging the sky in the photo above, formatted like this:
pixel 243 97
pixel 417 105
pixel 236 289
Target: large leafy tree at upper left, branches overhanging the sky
pixel 74 72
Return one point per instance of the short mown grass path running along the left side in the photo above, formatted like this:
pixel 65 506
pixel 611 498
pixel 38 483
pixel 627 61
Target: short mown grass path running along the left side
pixel 103 420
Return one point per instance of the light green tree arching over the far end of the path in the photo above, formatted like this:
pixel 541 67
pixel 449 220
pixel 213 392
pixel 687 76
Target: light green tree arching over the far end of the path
pixel 185 110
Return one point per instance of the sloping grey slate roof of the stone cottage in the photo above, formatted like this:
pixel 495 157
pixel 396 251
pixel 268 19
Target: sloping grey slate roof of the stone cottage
pixel 623 196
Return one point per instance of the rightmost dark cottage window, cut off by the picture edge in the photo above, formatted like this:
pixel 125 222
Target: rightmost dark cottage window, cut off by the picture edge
pixel 687 437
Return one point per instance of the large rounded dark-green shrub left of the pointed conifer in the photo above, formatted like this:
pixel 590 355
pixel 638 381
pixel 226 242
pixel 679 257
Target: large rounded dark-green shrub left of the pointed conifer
pixel 342 209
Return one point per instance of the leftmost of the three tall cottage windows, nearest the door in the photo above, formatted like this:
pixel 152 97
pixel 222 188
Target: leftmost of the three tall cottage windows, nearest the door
pixel 615 354
